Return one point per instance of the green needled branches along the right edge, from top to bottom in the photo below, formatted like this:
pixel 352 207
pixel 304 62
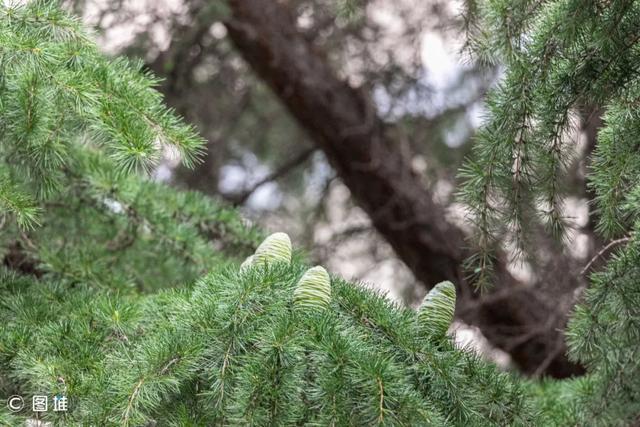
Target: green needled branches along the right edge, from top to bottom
pixel 561 56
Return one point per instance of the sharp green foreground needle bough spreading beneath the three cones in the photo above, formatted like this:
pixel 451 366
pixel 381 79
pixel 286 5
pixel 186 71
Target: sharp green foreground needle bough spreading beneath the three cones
pixel 235 350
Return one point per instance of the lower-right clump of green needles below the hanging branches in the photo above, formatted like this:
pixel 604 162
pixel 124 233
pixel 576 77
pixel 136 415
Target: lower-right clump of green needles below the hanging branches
pixel 604 335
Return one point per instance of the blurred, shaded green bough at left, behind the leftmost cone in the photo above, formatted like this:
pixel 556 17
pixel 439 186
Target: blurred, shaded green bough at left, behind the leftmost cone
pixel 127 233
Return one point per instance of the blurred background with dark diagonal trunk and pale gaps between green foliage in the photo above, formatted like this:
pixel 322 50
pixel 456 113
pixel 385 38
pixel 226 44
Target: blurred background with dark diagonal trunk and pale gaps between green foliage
pixel 345 123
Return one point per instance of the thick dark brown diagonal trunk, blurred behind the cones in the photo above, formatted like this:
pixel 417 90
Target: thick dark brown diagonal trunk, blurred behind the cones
pixel 342 122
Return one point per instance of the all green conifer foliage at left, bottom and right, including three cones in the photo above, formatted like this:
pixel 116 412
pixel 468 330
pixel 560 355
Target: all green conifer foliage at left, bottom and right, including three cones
pixel 128 298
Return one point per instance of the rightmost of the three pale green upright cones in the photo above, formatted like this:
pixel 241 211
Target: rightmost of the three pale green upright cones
pixel 436 311
